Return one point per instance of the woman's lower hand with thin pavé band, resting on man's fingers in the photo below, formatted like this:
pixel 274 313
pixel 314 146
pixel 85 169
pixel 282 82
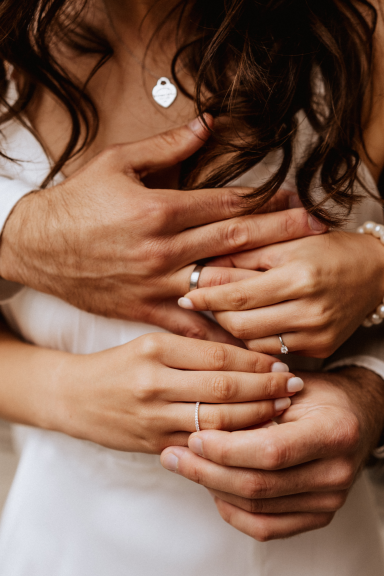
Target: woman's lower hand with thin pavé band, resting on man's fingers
pixel 140 397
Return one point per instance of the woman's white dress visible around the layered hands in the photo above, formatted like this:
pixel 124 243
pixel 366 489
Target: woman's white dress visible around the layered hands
pixel 78 509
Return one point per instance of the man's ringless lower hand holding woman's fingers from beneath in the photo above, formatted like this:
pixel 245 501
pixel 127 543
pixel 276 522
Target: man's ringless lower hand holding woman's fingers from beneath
pixel 282 480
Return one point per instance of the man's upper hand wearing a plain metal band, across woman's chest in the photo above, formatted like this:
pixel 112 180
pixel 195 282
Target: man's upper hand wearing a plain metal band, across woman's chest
pixel 107 244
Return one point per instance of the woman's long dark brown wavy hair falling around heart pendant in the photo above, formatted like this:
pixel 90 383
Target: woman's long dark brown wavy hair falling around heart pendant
pixel 256 65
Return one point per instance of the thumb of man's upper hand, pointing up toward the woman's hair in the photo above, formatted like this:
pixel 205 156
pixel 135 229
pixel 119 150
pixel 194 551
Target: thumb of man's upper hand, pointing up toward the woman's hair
pixel 168 148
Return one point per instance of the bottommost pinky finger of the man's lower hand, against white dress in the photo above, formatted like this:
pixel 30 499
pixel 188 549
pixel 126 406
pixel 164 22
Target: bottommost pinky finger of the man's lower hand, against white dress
pixel 264 527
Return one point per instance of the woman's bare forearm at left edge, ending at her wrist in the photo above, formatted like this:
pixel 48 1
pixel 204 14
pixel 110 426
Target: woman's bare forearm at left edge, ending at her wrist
pixel 29 382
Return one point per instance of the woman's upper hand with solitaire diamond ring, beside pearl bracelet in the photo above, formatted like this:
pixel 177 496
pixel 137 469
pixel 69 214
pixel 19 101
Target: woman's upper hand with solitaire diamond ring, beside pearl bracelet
pixel 315 291
